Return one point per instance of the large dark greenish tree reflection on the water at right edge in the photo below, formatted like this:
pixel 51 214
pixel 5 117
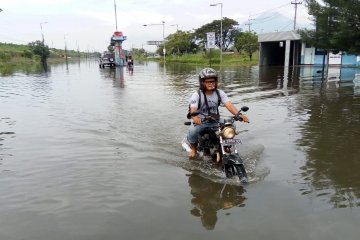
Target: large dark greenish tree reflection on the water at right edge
pixel 330 138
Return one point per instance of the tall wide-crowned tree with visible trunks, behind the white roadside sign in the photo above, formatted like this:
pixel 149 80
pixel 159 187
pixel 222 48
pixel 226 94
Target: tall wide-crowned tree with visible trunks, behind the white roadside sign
pixel 228 34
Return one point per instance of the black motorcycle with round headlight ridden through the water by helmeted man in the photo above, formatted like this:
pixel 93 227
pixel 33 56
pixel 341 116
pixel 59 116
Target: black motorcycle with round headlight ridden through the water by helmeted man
pixel 219 143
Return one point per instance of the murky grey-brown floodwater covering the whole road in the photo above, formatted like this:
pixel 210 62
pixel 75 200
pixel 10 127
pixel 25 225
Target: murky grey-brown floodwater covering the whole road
pixel 89 153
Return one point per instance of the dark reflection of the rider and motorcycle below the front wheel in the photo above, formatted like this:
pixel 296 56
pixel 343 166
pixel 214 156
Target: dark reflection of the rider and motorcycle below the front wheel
pixel 208 198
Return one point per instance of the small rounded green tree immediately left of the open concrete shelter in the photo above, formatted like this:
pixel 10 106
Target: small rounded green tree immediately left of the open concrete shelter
pixel 247 42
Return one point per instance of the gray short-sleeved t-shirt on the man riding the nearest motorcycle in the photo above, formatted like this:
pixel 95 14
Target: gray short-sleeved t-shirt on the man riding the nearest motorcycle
pixel 212 102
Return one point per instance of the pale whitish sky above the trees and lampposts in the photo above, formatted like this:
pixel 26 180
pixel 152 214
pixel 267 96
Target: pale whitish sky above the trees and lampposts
pixel 87 25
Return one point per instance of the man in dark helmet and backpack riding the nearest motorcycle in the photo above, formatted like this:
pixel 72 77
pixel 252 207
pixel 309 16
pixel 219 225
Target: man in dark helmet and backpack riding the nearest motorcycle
pixel 204 103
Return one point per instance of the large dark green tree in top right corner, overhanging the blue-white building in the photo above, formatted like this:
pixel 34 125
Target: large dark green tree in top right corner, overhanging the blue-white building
pixel 337 25
